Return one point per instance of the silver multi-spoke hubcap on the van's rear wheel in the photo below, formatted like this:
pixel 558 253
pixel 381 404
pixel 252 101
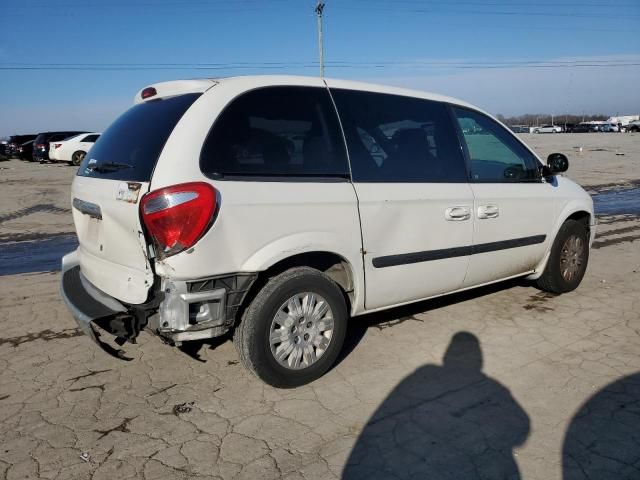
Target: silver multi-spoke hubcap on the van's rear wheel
pixel 301 331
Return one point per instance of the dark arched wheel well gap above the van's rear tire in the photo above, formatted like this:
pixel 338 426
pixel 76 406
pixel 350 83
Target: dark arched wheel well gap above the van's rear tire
pixel 331 264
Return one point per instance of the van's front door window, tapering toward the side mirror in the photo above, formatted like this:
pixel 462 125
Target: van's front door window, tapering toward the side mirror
pixel 495 155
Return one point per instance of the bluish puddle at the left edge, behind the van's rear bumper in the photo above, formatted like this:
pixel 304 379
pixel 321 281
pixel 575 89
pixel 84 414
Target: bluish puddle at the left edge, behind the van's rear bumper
pixel 42 255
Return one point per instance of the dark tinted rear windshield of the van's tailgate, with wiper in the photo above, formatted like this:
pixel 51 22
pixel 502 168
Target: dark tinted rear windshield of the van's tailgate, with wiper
pixel 130 147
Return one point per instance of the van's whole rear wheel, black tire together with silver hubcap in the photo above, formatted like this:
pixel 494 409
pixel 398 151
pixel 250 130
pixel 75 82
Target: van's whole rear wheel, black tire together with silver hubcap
pixel 293 330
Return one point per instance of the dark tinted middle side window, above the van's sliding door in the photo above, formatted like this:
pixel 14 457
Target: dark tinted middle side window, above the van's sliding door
pixel 393 138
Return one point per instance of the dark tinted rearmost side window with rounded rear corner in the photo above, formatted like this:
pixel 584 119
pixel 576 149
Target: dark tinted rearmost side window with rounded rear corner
pixel 275 132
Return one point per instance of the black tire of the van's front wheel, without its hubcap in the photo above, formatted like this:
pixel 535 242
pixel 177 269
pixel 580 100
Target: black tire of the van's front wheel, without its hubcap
pixel 552 279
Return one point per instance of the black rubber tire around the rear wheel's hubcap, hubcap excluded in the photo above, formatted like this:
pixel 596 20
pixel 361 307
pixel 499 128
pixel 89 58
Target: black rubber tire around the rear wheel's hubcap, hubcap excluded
pixel 251 336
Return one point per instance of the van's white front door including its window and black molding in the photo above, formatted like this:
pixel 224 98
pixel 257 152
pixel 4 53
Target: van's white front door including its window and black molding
pixel 513 206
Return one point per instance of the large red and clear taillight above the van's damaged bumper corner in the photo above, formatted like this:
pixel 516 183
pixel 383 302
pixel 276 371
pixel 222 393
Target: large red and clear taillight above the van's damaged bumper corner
pixel 177 217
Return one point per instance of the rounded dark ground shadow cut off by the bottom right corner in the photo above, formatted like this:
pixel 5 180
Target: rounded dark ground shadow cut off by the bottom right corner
pixel 603 438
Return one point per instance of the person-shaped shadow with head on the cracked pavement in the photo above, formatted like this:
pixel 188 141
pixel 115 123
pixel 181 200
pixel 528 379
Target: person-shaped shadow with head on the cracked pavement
pixel 443 422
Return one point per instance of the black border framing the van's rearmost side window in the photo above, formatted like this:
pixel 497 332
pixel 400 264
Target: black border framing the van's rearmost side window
pixel 278 178
